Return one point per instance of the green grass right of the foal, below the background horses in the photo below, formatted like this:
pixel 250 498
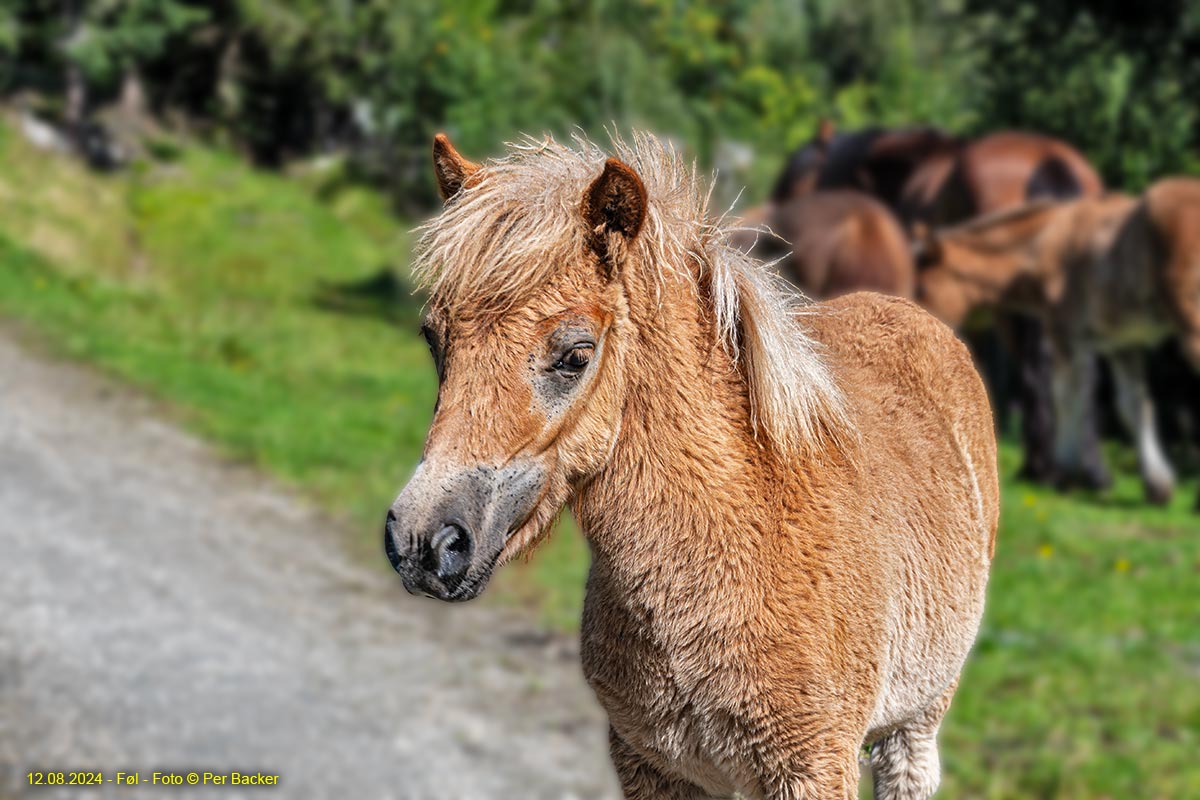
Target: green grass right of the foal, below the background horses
pixel 1085 682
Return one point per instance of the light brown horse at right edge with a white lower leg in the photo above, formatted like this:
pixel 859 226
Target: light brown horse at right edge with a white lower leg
pixel 1111 274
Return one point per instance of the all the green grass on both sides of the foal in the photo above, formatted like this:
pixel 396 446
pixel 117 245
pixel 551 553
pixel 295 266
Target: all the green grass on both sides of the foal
pixel 263 311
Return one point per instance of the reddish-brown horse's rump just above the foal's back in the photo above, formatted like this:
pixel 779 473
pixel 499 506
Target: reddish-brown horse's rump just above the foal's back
pixel 833 243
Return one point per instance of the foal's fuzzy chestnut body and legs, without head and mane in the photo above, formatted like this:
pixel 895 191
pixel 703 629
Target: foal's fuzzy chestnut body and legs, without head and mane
pixel 766 657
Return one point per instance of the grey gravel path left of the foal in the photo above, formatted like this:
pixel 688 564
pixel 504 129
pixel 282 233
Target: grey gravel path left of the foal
pixel 164 611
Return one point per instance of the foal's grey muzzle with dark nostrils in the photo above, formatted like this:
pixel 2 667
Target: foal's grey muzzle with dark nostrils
pixel 448 528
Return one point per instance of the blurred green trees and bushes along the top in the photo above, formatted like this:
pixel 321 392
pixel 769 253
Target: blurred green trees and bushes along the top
pixel 286 79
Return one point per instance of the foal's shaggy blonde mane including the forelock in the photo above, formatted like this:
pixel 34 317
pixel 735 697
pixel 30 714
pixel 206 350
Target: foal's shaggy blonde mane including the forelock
pixel 503 236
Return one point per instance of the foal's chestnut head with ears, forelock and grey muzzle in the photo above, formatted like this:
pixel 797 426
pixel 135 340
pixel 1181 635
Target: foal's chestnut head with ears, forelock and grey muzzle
pixel 521 329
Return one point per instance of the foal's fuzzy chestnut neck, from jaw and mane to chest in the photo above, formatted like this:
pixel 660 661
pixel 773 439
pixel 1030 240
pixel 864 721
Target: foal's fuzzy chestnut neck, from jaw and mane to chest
pixel 686 480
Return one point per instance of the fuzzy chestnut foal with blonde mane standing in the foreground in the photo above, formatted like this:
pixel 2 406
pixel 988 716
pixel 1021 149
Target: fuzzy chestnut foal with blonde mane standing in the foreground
pixel 791 510
